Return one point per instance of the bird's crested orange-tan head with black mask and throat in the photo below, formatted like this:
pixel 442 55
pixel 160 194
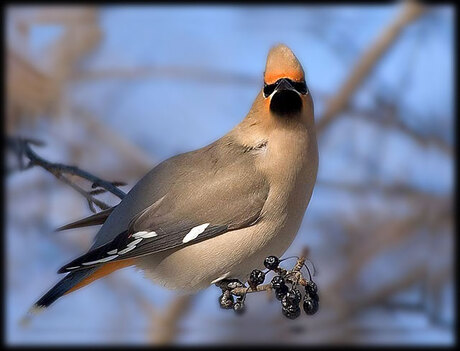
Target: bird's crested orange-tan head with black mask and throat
pixel 285 91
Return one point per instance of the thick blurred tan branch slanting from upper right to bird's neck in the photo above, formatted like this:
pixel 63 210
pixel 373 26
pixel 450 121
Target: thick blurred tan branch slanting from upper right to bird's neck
pixel 367 63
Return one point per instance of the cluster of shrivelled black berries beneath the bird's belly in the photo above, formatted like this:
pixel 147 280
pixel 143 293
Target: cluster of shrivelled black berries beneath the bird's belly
pixel 285 285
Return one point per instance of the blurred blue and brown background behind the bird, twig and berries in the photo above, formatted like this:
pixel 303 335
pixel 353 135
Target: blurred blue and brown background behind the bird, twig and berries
pixel 117 89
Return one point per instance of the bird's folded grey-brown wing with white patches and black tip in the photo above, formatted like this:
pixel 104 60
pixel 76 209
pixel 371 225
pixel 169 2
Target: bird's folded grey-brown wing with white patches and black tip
pixel 216 190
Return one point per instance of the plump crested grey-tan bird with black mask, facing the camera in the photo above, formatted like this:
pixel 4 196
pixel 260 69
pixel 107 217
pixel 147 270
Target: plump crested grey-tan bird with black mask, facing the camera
pixel 212 214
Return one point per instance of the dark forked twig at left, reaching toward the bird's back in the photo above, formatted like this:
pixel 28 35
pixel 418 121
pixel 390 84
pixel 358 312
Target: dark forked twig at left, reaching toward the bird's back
pixel 21 148
